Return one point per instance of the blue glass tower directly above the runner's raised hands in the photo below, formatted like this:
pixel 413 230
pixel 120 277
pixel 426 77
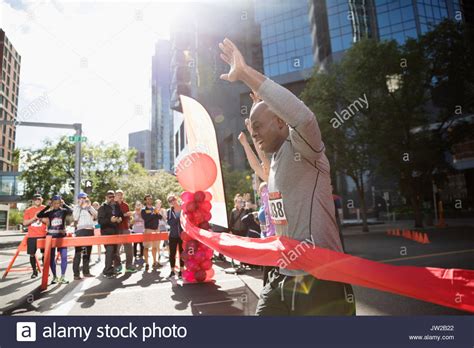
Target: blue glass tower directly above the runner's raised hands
pixel 286 36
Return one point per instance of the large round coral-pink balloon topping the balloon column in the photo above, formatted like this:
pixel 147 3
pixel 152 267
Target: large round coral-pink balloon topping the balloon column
pixel 196 172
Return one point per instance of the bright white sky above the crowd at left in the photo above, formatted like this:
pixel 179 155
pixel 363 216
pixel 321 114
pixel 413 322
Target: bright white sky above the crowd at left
pixel 86 62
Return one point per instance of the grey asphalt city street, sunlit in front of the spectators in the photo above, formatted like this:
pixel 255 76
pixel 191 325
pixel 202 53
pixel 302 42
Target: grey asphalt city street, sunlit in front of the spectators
pixel 152 293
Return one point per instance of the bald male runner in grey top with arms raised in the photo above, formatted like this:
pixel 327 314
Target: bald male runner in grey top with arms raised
pixel 300 193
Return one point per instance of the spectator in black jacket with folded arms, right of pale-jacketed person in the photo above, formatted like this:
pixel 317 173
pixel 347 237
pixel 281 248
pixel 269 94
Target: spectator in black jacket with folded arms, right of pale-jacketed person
pixel 109 218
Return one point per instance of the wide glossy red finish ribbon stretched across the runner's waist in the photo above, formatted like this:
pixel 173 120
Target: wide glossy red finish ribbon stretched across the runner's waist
pixel 447 287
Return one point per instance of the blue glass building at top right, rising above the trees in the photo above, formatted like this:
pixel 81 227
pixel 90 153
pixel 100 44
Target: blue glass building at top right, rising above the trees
pixel 337 24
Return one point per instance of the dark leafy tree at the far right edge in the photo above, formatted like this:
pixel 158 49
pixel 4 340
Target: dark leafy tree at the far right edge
pixel 434 70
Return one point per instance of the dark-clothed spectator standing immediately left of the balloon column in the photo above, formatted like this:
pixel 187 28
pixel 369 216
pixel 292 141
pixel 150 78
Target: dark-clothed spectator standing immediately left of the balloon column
pixel 173 215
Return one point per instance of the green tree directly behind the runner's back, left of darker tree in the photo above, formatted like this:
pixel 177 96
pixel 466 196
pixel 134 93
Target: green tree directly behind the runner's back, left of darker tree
pixel 361 74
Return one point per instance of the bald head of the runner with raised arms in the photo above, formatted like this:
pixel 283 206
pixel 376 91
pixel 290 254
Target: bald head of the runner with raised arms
pixel 268 130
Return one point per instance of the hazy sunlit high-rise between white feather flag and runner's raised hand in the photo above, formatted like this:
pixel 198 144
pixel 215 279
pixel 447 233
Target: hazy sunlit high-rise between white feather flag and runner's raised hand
pixel 196 67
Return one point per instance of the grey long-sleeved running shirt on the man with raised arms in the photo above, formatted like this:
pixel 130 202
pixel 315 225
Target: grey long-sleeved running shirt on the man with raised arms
pixel 299 184
